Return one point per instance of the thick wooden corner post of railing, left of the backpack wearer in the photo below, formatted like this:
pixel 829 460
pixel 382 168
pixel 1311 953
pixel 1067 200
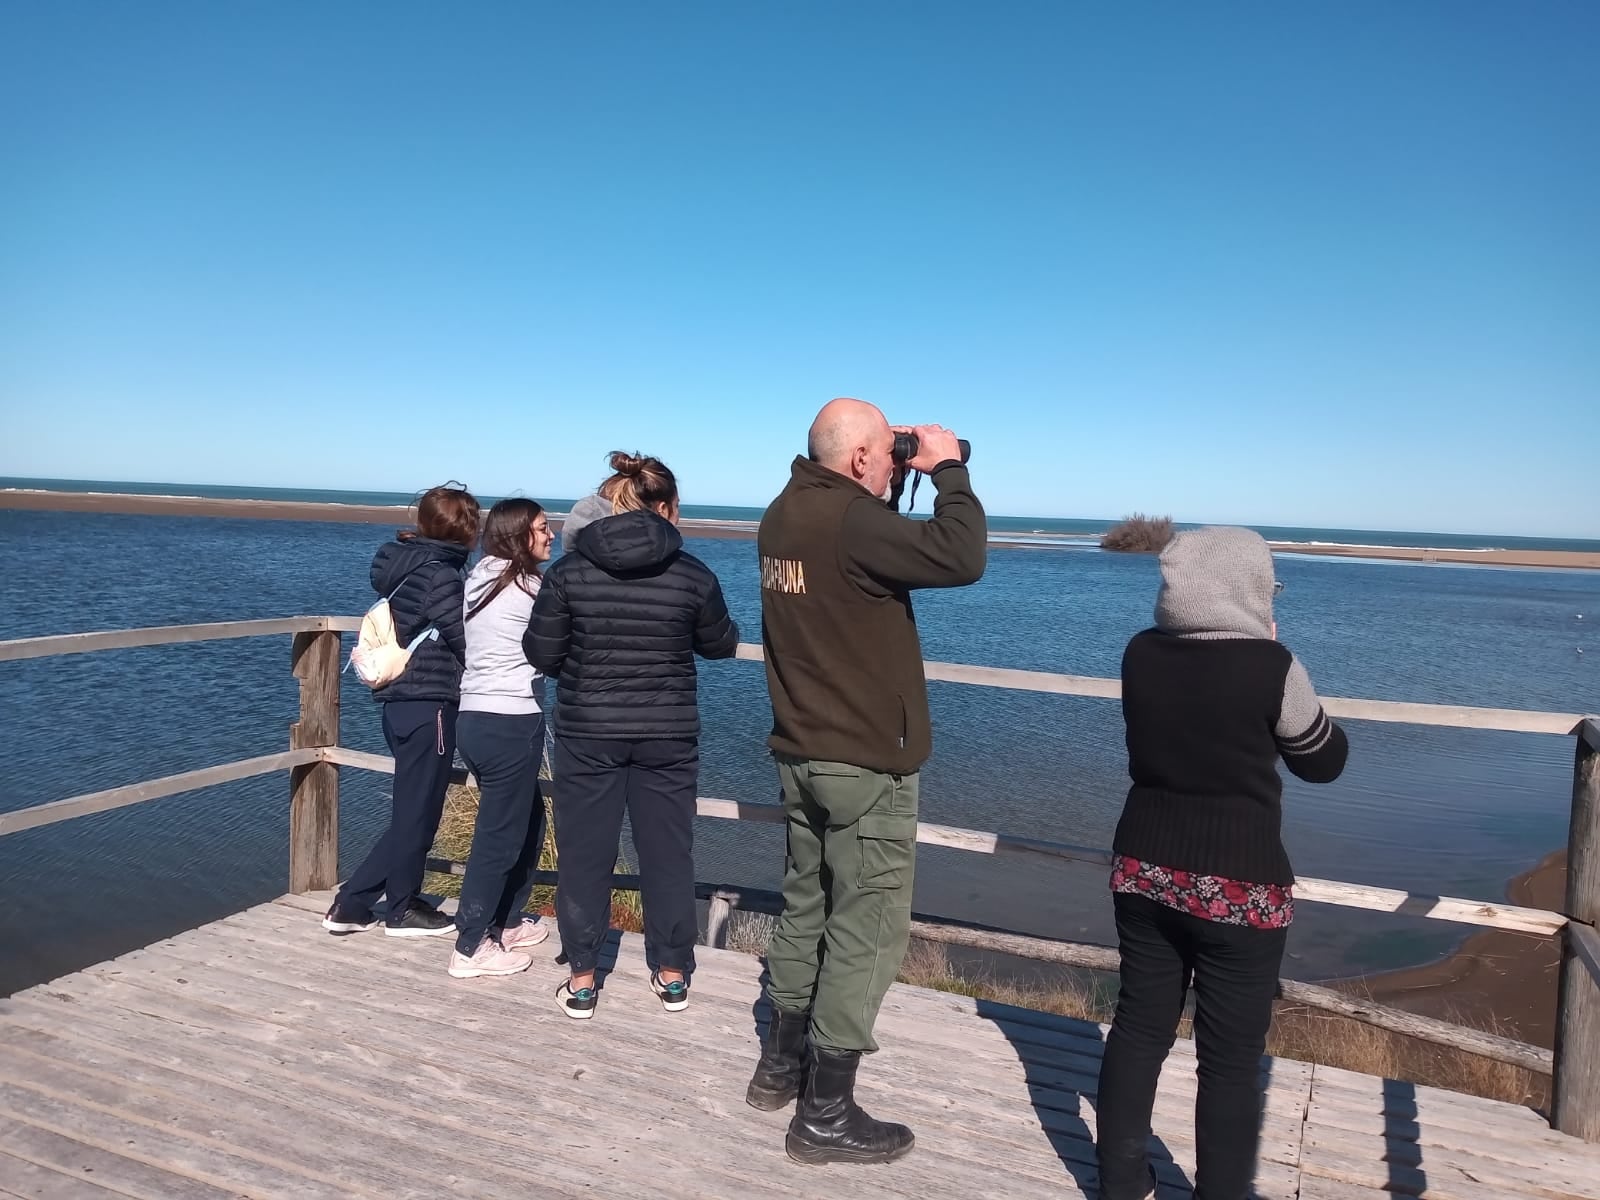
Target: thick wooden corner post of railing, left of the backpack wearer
pixel 314 790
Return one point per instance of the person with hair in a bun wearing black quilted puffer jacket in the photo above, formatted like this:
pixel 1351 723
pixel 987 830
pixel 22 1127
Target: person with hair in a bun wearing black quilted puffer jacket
pixel 620 622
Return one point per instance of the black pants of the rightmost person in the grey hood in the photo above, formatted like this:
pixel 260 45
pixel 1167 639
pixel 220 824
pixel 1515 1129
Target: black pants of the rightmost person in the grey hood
pixel 1234 972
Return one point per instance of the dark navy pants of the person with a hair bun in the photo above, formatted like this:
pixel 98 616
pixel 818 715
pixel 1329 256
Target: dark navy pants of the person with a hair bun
pixel 655 782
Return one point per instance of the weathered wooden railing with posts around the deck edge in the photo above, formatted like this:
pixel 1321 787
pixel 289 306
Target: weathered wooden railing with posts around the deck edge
pixel 314 761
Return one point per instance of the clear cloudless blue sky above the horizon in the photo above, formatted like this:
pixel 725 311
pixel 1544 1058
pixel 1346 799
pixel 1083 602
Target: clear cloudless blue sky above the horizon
pixel 1302 265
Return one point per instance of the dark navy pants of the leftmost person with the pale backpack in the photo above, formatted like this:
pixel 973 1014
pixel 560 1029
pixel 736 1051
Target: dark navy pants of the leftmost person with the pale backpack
pixel 422 737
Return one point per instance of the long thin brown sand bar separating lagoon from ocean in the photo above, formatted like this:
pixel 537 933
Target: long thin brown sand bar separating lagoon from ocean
pixel 398 516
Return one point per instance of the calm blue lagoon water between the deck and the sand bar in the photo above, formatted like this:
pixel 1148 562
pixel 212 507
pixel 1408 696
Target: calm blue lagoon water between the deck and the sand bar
pixel 1433 810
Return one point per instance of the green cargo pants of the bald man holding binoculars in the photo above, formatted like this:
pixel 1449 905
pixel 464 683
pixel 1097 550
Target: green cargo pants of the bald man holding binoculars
pixel 847 897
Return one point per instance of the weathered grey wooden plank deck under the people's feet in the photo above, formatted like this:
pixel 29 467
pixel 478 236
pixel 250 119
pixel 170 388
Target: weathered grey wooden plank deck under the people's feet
pixel 260 1057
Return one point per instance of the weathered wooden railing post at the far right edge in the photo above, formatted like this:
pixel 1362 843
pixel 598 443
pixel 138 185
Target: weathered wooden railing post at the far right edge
pixel 1575 1098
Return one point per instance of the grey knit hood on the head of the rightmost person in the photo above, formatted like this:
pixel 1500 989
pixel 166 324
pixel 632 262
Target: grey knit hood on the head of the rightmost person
pixel 1217 583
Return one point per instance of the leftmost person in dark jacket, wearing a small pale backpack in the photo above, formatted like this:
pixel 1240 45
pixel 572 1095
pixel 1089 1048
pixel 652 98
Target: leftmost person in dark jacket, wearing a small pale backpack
pixel 420 572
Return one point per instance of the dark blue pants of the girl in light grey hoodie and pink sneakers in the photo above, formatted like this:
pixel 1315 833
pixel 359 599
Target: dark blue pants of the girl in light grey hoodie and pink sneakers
pixel 503 751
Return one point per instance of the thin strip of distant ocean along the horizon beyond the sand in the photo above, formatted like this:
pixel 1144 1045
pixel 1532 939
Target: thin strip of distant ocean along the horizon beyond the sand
pixel 1052 527
